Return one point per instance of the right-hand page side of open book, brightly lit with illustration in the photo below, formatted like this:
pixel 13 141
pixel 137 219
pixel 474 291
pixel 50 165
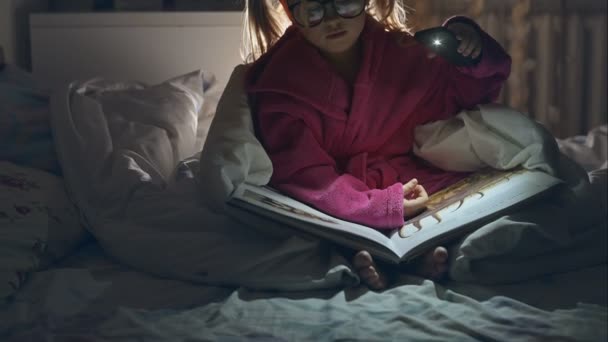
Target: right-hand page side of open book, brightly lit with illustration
pixel 483 195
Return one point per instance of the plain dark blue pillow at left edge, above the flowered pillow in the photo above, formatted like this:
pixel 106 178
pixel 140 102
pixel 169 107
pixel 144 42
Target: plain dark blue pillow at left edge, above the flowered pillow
pixel 25 132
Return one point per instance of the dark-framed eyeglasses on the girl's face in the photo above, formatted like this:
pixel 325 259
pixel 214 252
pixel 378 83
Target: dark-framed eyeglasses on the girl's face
pixel 310 13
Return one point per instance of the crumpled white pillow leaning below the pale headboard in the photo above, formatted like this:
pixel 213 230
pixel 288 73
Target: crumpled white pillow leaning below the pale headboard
pixel 182 107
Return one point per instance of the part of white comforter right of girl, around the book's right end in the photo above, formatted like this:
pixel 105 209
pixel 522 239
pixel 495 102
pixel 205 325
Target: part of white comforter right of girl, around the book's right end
pixel 560 233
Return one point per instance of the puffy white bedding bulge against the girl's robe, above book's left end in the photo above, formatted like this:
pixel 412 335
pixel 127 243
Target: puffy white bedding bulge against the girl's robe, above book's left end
pixel 232 154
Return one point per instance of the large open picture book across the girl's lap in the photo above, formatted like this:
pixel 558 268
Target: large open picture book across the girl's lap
pixel 459 208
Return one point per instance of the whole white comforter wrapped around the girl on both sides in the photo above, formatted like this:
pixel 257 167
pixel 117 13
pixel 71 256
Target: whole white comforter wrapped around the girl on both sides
pixel 148 214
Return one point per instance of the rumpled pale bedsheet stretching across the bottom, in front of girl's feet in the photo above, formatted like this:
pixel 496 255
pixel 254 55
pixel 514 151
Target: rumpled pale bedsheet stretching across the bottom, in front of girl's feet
pixel 90 297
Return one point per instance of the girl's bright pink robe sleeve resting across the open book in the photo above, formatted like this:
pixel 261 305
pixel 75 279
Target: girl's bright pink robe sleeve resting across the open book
pixel 305 171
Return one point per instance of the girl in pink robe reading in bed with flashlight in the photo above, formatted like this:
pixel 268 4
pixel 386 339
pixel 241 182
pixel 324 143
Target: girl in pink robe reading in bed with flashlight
pixel 336 99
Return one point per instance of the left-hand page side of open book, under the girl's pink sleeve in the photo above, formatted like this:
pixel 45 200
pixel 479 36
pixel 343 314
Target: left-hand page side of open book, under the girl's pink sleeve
pixel 285 209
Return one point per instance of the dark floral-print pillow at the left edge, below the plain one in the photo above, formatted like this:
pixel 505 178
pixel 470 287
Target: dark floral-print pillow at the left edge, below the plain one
pixel 38 224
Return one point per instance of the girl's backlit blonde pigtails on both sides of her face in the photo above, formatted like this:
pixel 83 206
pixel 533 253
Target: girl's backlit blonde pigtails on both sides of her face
pixel 265 21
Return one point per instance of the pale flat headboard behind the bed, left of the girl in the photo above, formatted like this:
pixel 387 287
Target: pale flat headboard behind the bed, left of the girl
pixel 143 46
